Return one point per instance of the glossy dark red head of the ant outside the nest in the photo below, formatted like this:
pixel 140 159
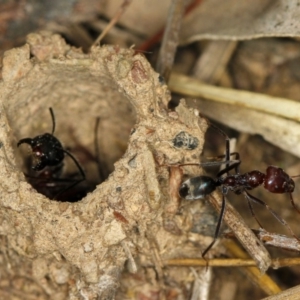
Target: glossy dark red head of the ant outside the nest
pixel 277 181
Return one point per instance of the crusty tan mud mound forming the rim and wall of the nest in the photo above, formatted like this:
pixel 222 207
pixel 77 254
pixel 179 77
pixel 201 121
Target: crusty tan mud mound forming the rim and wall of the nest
pixel 63 250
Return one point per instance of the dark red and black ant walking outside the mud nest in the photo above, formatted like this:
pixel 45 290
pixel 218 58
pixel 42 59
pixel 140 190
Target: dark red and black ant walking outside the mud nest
pixel 275 180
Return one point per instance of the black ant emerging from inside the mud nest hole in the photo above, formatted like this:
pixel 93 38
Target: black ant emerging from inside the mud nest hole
pixel 49 154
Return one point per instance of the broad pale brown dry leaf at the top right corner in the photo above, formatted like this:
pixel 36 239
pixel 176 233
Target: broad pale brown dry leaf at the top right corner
pixel 240 20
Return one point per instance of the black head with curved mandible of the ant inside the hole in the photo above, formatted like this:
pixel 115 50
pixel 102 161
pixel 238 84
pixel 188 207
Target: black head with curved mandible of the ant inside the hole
pixel 46 149
